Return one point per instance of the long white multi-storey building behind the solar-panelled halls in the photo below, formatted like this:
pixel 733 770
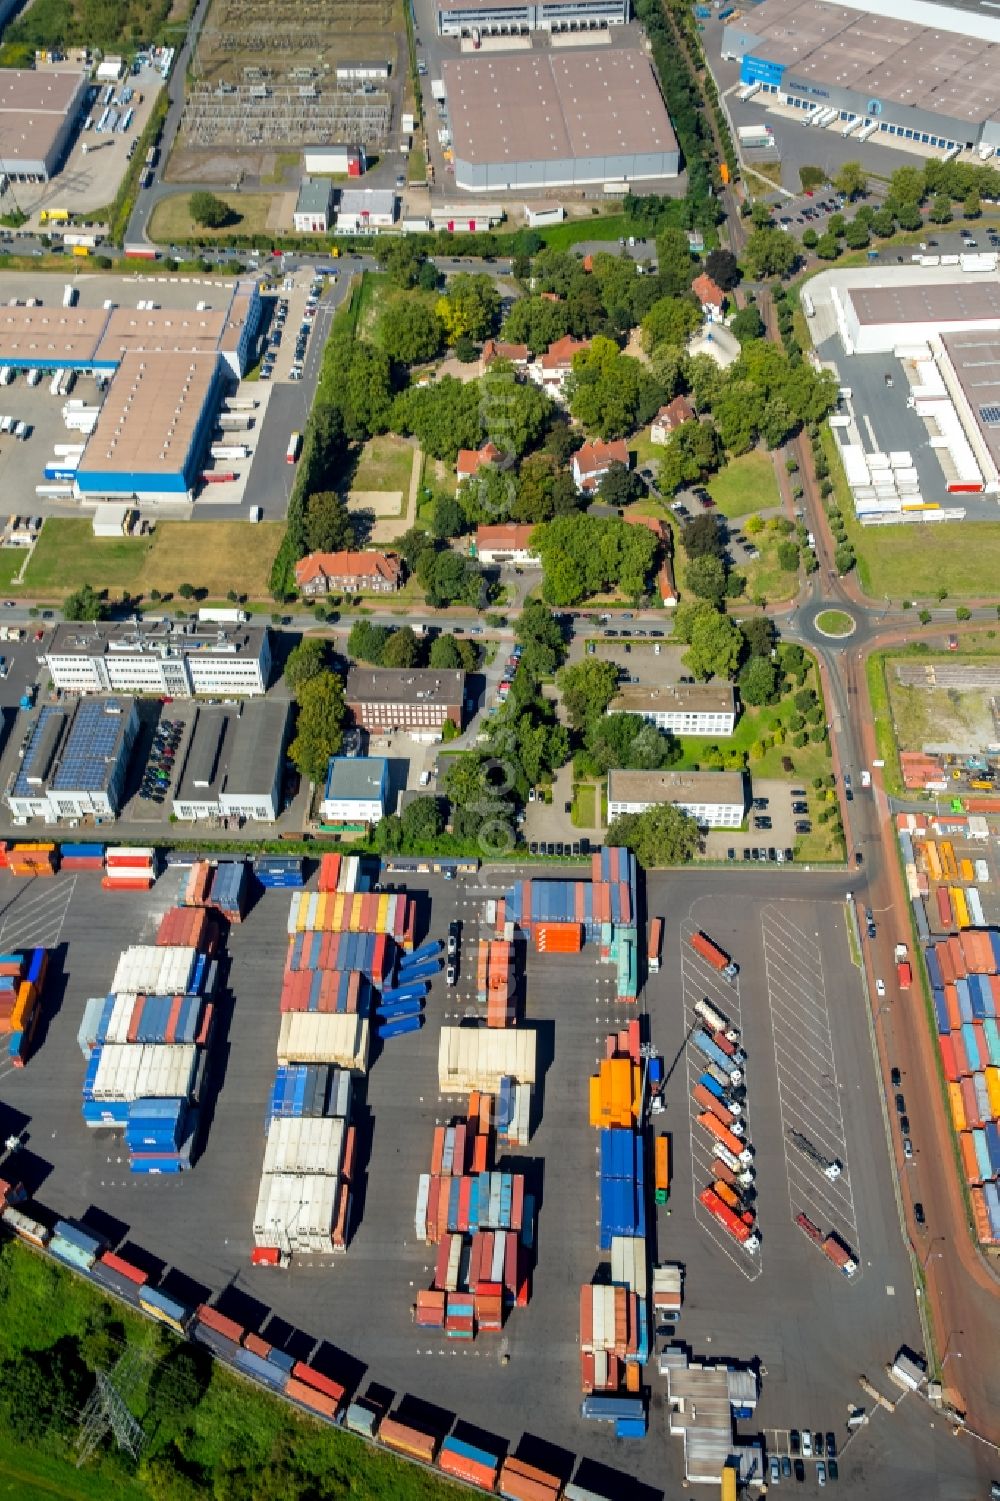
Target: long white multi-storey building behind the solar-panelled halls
pixel 161 658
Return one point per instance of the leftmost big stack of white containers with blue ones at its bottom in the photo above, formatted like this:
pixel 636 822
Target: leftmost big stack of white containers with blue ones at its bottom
pixel 146 1042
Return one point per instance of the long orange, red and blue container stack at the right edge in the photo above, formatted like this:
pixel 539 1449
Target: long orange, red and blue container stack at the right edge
pixel 965 975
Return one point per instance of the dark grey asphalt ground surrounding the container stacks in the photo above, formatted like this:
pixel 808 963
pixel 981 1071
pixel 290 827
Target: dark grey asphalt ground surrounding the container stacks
pixel 200 1223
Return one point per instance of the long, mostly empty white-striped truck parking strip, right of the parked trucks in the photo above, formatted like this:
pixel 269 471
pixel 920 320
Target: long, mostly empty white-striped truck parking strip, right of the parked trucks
pixel 809 1086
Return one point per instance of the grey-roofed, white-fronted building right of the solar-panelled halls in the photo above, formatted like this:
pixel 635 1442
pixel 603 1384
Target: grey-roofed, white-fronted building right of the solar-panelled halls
pixel 235 763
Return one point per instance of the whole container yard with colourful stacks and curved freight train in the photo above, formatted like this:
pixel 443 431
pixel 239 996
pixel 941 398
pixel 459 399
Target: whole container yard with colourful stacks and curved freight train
pixel 517 1217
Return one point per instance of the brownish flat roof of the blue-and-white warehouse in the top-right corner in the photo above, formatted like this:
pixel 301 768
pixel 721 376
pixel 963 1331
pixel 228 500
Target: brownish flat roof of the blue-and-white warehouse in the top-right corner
pixel 888 56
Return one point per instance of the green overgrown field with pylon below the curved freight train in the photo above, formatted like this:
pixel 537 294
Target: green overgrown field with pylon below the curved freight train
pixel 211 1436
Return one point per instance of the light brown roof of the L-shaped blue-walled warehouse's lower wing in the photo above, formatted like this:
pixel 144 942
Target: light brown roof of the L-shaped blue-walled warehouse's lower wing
pixel 151 414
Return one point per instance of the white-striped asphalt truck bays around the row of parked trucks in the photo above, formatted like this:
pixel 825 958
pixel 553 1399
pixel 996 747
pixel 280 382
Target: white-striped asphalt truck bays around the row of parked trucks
pixel 702 982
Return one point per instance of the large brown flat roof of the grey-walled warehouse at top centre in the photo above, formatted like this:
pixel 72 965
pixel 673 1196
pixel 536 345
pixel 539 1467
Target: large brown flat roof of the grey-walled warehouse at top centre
pixel 556 106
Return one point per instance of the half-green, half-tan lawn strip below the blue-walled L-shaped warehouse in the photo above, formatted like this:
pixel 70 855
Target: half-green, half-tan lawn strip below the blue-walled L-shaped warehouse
pixel 197 553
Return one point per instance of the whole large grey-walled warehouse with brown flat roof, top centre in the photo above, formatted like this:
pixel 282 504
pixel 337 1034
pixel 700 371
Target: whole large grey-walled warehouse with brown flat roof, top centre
pixel 558 119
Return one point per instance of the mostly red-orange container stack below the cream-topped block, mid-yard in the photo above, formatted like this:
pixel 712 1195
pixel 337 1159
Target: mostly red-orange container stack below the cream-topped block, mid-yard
pixel 483 1224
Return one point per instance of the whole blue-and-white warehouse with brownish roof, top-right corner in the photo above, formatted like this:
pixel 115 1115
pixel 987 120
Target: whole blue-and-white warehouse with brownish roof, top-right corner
pixel 905 71
